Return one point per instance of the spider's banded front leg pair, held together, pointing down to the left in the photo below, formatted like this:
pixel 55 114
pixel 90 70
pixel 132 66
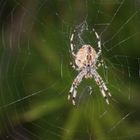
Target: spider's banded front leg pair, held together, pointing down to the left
pixel 75 83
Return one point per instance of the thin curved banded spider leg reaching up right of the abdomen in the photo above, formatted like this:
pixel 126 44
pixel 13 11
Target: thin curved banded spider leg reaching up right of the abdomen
pixel 98 42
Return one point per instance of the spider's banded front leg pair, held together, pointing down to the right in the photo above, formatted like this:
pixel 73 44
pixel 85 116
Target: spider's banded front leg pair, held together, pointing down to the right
pixel 102 85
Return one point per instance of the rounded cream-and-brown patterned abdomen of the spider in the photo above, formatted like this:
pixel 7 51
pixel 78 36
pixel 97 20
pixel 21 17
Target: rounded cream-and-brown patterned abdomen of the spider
pixel 85 56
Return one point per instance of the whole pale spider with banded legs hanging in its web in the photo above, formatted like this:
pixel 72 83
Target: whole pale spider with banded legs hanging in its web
pixel 87 63
